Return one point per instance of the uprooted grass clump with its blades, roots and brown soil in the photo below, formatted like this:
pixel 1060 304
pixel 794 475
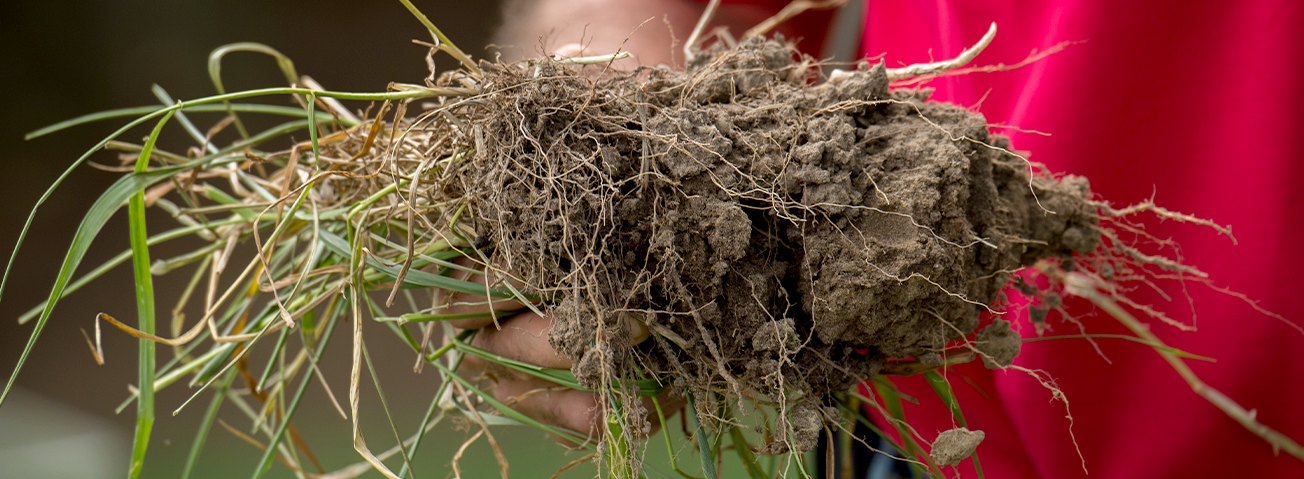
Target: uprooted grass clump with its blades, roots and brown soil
pixel 747 234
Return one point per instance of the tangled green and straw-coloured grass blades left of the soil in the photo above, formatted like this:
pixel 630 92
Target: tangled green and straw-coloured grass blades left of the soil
pixel 333 238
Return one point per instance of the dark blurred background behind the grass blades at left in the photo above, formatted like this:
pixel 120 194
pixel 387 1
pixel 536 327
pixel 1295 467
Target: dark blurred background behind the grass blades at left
pixel 63 59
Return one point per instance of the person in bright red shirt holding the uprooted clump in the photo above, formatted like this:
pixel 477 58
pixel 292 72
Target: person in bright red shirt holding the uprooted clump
pixel 1177 101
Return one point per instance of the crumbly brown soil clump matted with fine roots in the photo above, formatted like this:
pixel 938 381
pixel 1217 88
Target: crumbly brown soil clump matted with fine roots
pixel 779 239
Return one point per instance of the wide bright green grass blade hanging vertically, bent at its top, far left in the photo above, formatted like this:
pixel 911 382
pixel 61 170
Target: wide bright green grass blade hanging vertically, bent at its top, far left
pixel 144 309
